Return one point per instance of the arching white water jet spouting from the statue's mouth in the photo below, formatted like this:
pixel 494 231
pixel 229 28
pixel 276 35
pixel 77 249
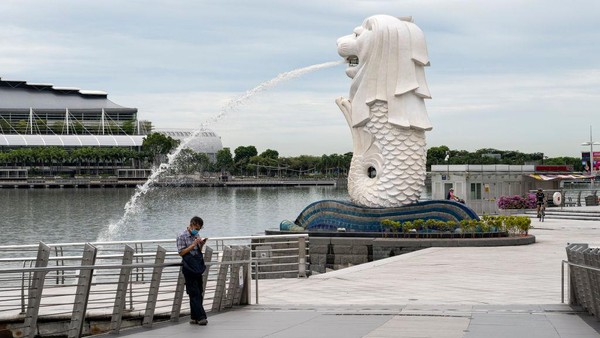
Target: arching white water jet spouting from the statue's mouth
pixel 231 106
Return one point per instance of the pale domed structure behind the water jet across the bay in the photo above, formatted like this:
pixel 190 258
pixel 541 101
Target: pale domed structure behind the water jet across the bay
pixel 206 142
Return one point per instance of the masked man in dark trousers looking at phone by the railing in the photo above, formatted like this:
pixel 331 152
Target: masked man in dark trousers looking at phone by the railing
pixel 189 246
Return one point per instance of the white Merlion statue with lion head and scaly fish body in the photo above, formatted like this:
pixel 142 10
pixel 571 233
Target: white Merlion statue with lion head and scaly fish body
pixel 386 110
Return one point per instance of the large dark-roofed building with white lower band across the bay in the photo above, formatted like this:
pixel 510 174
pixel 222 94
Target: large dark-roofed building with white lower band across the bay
pixel 38 114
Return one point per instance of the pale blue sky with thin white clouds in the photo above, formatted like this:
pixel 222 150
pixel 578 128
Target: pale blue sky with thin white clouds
pixel 506 74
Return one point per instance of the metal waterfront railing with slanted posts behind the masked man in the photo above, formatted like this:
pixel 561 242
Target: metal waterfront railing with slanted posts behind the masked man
pixel 74 289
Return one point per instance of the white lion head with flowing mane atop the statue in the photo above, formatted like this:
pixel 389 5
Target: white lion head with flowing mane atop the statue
pixel 386 58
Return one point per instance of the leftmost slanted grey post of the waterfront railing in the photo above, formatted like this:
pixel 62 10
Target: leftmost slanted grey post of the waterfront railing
pixel 35 291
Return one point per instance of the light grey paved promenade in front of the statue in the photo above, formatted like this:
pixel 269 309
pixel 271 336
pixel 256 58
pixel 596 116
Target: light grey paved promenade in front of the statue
pixel 438 292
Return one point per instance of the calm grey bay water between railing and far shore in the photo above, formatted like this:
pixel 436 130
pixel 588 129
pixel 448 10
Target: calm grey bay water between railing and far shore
pixel 28 216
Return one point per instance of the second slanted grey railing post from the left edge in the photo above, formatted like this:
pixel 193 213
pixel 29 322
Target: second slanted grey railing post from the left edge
pixel 82 294
